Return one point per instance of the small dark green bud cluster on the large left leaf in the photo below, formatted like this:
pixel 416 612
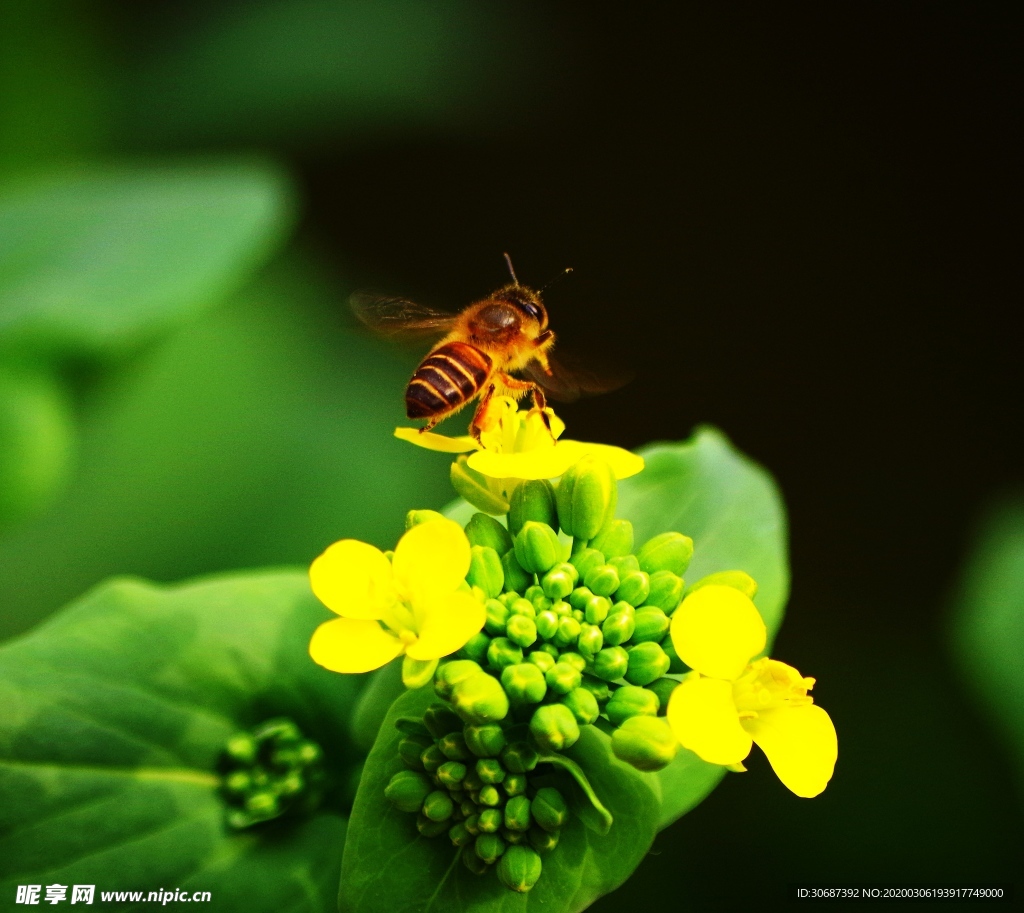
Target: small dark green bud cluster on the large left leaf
pixel 270 772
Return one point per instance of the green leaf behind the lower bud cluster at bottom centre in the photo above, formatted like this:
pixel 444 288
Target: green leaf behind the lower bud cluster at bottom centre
pixel 389 866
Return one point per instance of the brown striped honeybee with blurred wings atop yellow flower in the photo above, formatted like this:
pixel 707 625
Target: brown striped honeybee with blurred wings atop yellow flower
pixel 485 344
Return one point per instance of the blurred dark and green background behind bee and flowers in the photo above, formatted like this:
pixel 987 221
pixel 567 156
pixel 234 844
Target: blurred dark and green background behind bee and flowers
pixel 794 223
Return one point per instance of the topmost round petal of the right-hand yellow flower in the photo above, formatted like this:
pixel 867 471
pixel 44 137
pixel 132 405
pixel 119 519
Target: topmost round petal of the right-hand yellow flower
pixel 717 630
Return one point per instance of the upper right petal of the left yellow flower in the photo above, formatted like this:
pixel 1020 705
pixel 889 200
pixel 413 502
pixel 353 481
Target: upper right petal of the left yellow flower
pixel 431 561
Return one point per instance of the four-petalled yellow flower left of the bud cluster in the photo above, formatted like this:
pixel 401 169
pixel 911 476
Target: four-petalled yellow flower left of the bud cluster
pixel 417 604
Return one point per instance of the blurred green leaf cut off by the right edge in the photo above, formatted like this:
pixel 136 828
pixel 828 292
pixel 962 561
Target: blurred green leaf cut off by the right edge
pixel 987 634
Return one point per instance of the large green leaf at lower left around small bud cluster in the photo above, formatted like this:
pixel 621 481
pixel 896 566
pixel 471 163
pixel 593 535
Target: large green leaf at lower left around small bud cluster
pixel 115 714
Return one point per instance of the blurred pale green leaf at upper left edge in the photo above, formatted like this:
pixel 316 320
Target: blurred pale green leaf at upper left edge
pixel 95 262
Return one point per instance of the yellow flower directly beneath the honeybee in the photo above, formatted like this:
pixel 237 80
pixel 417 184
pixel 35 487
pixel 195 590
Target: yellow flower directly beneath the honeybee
pixel 516 445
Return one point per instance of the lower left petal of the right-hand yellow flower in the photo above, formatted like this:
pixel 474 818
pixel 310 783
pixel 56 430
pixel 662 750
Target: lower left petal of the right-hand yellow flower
pixel 705 720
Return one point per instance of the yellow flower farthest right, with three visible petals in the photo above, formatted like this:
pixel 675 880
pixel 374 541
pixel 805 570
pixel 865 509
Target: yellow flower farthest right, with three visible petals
pixel 728 704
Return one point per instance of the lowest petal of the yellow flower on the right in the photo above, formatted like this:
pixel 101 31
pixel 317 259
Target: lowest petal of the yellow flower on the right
pixel 801 746
